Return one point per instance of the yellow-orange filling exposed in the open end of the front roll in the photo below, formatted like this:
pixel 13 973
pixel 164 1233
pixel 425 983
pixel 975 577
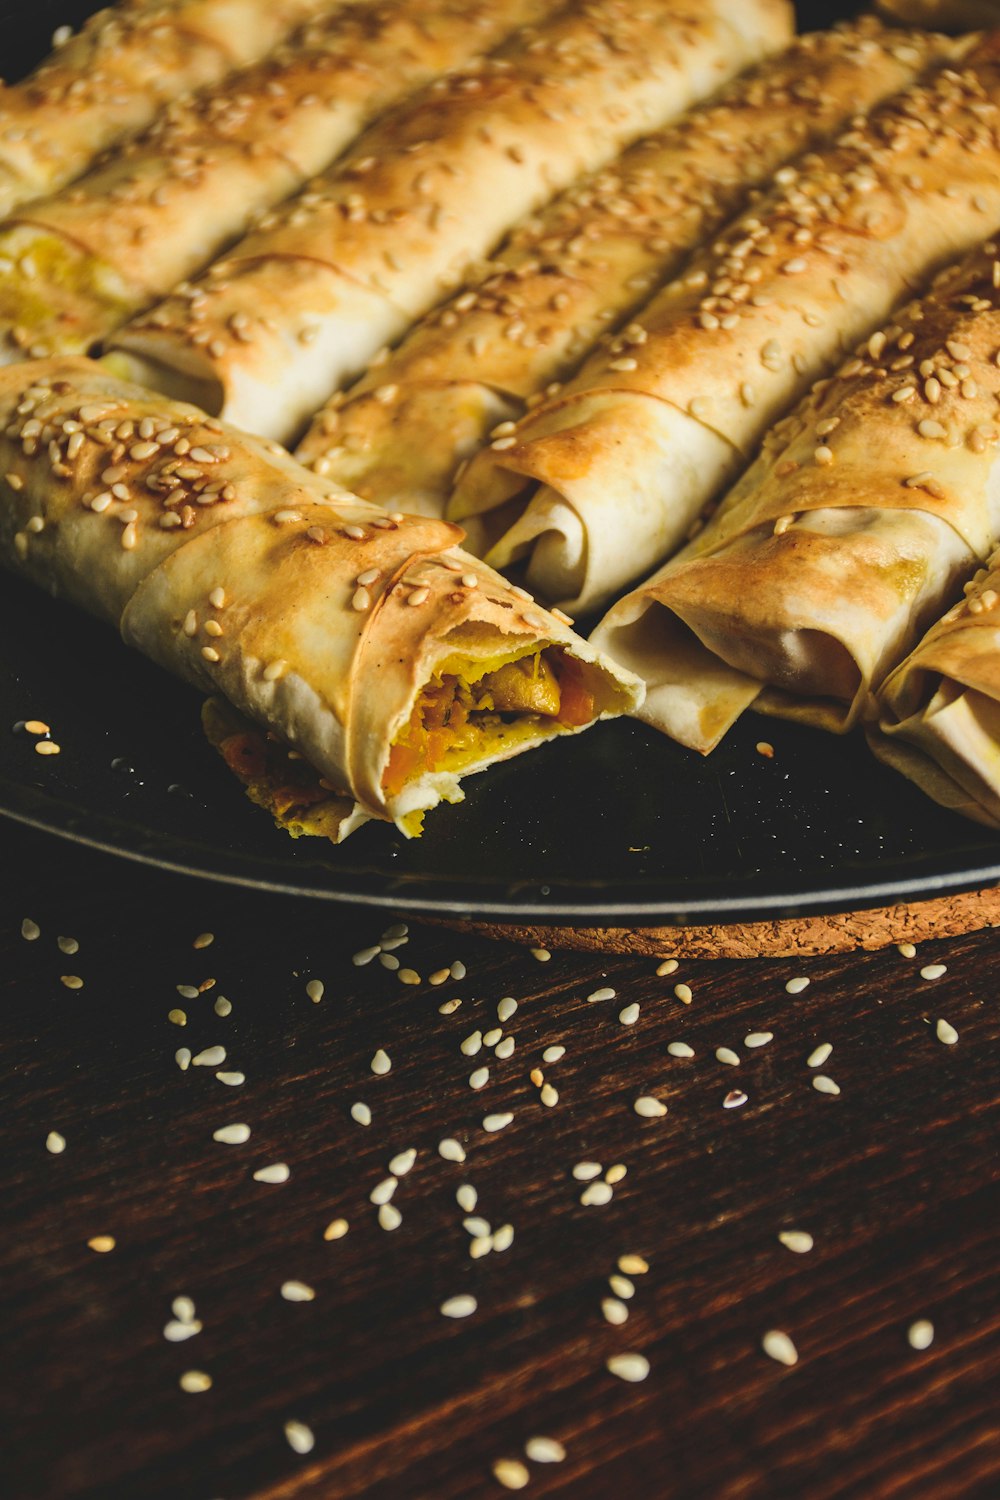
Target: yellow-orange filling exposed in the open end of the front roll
pixel 472 712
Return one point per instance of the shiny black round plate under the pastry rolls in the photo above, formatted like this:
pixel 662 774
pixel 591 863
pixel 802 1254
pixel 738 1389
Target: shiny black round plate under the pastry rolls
pixel 617 827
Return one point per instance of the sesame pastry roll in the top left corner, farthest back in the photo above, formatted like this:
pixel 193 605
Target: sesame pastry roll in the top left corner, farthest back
pixel 109 80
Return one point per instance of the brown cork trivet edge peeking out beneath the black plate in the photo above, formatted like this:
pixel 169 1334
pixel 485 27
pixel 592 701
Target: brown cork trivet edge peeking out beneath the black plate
pixel 837 932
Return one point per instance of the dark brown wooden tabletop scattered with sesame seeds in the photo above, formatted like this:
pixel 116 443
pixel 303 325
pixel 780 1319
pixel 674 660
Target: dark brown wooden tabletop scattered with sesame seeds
pixel 896 1178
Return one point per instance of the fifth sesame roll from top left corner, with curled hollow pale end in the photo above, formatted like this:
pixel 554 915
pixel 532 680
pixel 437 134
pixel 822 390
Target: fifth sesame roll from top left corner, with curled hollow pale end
pixel 608 479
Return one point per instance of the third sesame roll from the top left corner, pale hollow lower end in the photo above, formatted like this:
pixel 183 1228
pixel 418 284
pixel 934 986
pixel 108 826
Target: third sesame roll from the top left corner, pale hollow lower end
pixel 305 304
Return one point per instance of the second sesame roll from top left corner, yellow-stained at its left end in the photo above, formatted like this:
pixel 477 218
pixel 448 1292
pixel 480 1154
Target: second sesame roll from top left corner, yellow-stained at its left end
pixel 77 265
